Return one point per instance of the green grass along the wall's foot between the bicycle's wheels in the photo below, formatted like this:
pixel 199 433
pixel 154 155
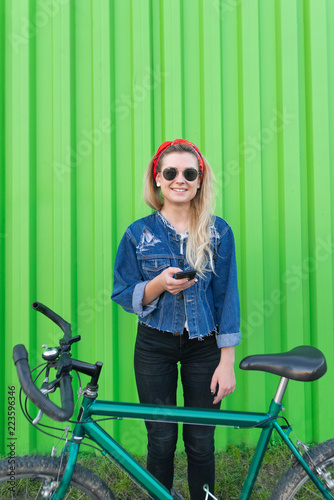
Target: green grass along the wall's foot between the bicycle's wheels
pixel 231 471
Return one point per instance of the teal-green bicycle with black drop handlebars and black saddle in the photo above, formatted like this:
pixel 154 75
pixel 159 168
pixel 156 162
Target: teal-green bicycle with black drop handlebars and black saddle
pixel 58 480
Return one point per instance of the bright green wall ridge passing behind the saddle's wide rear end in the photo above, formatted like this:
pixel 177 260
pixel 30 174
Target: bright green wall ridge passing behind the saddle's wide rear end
pixel 322 199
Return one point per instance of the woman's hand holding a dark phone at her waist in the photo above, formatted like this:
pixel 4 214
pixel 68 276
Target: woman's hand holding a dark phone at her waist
pixel 165 282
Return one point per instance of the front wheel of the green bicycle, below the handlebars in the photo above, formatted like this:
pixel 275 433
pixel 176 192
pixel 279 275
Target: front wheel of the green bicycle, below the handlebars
pixel 31 472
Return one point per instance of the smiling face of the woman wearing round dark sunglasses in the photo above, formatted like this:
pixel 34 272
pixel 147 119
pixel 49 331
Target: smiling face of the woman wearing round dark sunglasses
pixel 178 191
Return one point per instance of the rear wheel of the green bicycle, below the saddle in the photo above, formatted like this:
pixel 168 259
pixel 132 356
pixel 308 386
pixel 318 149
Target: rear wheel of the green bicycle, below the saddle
pixel 295 483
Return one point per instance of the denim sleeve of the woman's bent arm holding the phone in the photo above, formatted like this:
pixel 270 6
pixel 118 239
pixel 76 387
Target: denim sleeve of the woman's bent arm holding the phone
pixel 129 283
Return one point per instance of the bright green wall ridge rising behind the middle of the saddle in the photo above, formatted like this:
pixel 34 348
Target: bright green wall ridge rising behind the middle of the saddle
pixel 291 183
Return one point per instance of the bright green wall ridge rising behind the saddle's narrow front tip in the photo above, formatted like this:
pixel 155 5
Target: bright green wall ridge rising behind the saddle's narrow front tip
pixel 251 160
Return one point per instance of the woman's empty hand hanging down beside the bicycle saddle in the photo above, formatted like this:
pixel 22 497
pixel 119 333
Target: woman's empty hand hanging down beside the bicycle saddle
pixel 224 378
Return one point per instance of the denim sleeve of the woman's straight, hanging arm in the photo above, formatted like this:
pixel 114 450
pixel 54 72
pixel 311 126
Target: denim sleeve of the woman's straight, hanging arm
pixel 226 294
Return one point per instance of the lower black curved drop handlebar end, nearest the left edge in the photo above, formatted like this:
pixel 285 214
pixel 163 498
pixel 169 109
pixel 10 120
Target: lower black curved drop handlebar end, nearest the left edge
pixel 20 357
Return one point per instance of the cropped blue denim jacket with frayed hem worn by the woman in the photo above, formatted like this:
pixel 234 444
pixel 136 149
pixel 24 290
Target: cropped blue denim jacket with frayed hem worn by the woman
pixel 149 246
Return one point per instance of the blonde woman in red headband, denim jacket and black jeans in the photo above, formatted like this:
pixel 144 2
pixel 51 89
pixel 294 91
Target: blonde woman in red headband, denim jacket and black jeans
pixel 194 322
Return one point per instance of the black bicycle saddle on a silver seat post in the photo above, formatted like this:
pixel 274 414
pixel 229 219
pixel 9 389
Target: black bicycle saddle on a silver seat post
pixel 304 363
